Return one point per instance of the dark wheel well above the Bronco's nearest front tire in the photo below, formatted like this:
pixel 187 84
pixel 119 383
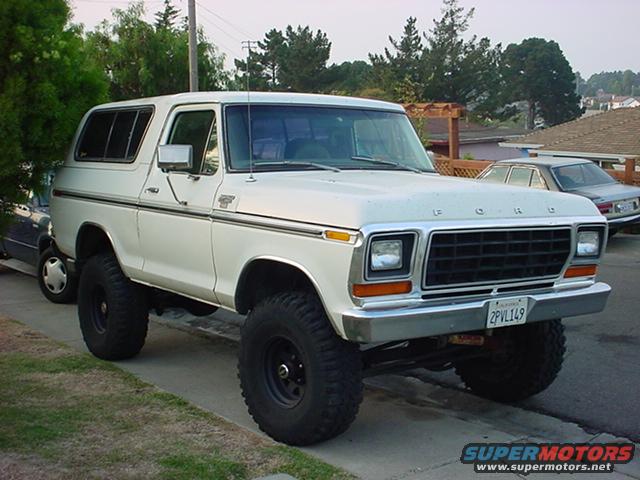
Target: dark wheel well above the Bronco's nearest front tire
pixel 263 278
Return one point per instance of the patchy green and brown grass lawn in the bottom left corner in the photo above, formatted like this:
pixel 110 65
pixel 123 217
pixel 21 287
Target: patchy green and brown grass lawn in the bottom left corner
pixel 70 415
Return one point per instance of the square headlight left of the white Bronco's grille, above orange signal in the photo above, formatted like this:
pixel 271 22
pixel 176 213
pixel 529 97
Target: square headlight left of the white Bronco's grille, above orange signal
pixel 390 255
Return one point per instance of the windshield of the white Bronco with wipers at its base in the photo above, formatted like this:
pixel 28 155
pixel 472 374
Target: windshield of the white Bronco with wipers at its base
pixel 342 138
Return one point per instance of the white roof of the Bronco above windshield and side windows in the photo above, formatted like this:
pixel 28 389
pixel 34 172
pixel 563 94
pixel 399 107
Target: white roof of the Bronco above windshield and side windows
pixel 259 97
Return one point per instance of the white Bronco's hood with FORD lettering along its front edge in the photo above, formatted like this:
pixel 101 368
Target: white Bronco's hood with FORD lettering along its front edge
pixel 352 199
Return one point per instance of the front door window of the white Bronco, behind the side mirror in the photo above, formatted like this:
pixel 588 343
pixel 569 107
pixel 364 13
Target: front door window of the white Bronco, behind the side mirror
pixel 198 129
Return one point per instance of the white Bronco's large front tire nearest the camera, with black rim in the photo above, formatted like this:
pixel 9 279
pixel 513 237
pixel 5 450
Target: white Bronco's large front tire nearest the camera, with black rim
pixel 301 382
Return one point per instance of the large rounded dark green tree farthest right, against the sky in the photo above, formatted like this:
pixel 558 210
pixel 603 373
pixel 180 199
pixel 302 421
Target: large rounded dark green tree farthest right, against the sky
pixel 537 71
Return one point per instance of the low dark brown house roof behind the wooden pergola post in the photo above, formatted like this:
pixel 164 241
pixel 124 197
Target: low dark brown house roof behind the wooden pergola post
pixel 437 130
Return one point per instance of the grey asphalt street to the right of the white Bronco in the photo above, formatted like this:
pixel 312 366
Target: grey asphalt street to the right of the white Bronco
pixel 599 385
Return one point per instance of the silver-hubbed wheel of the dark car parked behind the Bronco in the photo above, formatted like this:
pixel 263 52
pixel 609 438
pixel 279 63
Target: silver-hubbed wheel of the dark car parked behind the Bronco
pixel 54 279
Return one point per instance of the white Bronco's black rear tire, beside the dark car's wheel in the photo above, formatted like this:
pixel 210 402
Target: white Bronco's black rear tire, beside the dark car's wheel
pixel 113 311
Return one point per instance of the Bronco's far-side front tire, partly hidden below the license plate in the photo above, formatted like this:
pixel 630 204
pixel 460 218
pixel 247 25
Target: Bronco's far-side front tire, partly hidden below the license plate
pixel 528 362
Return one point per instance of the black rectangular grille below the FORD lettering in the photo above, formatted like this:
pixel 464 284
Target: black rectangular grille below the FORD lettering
pixel 495 256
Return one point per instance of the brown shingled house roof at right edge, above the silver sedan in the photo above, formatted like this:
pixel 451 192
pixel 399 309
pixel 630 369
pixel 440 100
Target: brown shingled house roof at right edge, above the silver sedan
pixel 612 134
